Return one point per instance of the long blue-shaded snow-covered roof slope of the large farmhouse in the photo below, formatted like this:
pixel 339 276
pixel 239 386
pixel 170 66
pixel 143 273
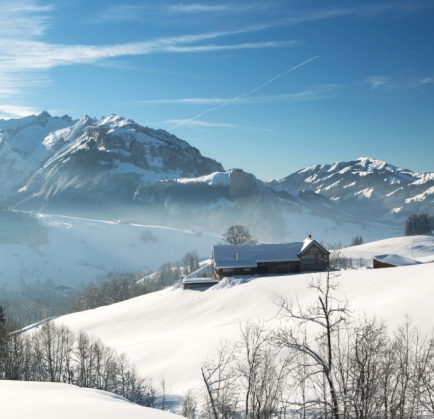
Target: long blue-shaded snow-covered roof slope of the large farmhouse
pixel 250 255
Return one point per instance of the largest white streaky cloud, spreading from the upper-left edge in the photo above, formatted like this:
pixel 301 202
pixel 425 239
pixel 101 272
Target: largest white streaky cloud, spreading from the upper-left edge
pixel 24 58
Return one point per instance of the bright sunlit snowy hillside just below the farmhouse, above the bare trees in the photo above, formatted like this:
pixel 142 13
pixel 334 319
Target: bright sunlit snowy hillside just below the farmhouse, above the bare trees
pixel 171 332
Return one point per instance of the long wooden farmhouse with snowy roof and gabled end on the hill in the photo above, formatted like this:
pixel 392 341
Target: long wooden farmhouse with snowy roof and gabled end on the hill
pixel 264 259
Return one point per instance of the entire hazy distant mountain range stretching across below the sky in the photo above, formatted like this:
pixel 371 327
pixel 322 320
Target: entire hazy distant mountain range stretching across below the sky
pixel 113 168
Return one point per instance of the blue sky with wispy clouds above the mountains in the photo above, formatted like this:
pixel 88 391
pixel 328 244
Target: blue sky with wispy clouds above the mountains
pixel 369 92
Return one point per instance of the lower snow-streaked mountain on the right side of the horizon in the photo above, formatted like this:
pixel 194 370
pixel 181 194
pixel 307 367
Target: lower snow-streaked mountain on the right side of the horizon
pixel 367 188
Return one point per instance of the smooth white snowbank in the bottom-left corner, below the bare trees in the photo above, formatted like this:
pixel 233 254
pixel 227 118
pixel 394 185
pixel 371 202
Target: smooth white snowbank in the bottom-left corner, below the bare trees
pixel 37 400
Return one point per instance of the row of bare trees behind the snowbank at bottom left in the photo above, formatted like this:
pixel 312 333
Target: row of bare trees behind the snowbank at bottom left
pixel 53 353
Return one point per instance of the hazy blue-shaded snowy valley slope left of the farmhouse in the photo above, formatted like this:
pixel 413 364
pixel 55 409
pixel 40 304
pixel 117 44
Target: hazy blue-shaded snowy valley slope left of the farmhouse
pixel 82 250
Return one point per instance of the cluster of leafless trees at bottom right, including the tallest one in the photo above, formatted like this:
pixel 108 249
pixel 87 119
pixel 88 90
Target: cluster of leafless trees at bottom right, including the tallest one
pixel 322 363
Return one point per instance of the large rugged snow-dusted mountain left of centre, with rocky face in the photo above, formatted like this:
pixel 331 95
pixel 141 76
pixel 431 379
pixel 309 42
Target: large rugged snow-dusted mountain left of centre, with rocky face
pixel 98 163
